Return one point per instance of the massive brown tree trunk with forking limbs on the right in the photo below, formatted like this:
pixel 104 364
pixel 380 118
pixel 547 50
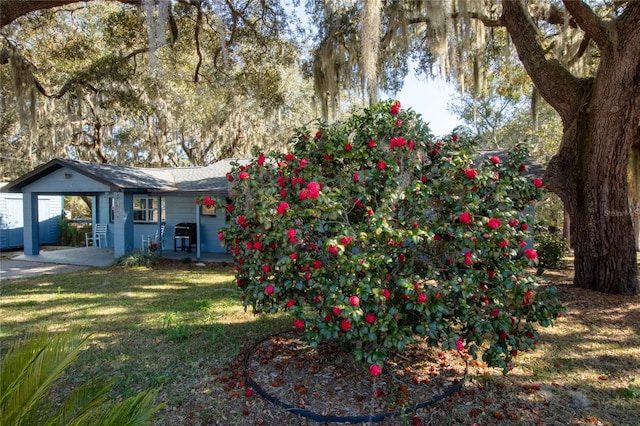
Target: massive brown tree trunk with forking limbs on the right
pixel 600 118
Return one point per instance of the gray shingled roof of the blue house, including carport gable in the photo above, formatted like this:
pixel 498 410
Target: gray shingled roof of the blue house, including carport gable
pixel 210 178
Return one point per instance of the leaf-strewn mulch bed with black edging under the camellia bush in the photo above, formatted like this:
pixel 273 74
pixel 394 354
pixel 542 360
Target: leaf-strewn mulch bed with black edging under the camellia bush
pixel 327 384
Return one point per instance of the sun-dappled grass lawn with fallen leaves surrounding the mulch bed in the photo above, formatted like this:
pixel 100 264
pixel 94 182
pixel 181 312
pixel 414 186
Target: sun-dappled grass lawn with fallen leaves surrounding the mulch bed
pixel 182 327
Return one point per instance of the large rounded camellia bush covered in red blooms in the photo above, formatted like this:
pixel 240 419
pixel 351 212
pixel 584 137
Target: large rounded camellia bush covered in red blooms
pixel 371 233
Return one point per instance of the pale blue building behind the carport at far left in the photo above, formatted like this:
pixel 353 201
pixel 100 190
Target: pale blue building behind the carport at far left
pixel 12 220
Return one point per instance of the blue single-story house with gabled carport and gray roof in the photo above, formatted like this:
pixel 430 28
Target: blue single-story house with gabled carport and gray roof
pixel 133 202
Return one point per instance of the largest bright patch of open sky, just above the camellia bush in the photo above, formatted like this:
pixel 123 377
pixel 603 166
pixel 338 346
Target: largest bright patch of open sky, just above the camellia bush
pixel 428 98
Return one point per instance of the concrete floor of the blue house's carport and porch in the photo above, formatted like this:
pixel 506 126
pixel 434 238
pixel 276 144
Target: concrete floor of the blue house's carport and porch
pixel 104 256
